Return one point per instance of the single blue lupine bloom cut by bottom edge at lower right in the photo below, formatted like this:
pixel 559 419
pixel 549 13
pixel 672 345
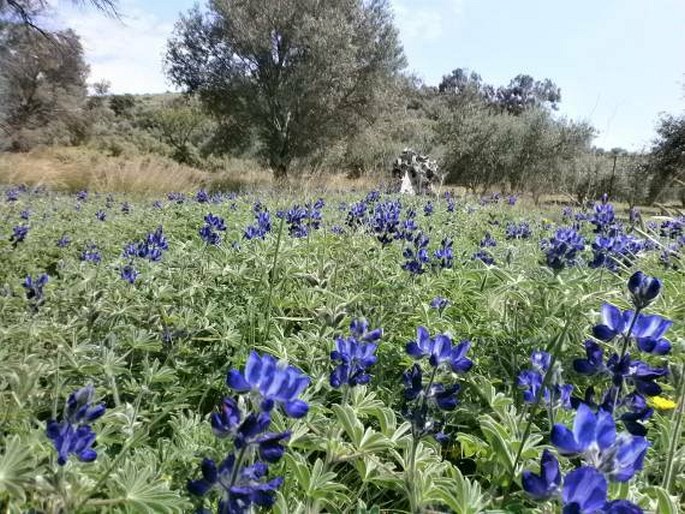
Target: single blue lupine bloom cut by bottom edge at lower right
pixel 584 491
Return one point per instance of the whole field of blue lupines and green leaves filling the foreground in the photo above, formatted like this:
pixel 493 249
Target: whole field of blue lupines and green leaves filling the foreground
pixel 359 353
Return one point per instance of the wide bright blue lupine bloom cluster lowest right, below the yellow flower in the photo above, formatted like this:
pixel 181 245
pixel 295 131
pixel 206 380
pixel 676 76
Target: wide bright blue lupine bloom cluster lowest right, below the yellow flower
pixel 618 456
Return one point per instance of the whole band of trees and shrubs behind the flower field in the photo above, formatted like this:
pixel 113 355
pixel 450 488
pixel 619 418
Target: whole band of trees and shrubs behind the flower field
pixel 318 86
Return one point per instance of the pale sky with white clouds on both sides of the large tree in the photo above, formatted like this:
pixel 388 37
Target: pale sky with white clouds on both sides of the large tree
pixel 619 63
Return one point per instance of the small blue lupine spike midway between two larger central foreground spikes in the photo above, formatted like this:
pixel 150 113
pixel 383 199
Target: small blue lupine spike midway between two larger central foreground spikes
pixel 354 357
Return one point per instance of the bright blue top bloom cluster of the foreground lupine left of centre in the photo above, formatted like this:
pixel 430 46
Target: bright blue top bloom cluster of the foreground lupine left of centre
pixel 275 382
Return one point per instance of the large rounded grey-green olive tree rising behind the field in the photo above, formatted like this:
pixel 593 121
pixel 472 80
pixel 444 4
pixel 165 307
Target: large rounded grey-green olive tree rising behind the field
pixel 300 73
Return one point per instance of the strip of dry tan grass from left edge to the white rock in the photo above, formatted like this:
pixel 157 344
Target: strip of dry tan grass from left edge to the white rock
pixel 74 169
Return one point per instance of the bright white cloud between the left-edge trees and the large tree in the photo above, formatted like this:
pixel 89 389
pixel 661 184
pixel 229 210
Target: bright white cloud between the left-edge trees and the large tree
pixel 128 52
